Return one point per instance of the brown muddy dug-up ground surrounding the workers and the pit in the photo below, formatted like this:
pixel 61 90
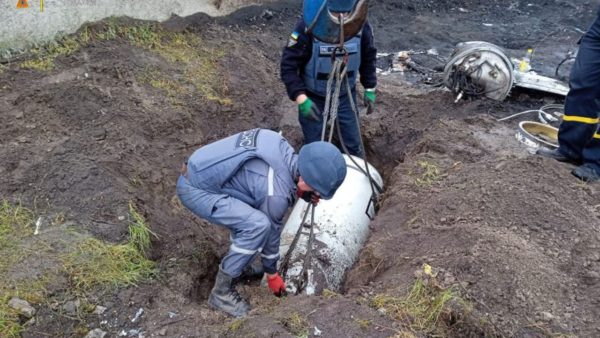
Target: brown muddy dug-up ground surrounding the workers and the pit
pixel 516 234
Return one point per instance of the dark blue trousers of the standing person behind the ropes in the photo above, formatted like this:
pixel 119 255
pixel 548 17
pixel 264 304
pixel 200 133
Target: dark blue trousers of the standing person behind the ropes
pixel 348 124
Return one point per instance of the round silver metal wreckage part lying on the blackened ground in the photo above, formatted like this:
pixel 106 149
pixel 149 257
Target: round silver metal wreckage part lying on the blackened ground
pixel 479 68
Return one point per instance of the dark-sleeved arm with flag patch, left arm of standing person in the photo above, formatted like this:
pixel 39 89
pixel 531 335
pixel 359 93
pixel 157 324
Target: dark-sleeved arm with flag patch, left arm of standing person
pixel 293 60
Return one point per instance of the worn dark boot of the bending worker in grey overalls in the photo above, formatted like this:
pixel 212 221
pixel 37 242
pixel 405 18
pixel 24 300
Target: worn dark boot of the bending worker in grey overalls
pixel 224 297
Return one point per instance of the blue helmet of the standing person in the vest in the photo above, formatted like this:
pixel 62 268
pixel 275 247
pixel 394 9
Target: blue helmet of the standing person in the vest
pixel 325 26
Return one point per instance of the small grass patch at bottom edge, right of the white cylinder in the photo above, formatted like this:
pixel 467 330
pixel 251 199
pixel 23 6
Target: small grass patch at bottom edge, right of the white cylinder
pixel 421 309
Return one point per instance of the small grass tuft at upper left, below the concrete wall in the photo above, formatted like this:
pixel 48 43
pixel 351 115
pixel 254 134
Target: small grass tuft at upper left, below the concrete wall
pixel 43 57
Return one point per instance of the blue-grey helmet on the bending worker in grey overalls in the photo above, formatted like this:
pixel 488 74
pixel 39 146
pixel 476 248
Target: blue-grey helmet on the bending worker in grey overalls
pixel 322 167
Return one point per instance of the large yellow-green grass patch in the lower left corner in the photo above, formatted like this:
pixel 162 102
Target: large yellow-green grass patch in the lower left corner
pixel 86 262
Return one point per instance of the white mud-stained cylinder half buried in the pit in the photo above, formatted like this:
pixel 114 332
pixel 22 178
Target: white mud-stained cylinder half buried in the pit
pixel 340 231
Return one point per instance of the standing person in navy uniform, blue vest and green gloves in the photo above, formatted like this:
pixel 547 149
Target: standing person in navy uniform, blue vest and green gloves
pixel 307 61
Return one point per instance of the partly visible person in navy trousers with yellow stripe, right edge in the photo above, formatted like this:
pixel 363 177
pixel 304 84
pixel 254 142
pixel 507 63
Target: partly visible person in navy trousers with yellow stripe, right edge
pixel 578 135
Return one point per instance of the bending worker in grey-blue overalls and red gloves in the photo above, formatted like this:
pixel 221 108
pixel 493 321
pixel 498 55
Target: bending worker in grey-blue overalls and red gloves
pixel 246 182
